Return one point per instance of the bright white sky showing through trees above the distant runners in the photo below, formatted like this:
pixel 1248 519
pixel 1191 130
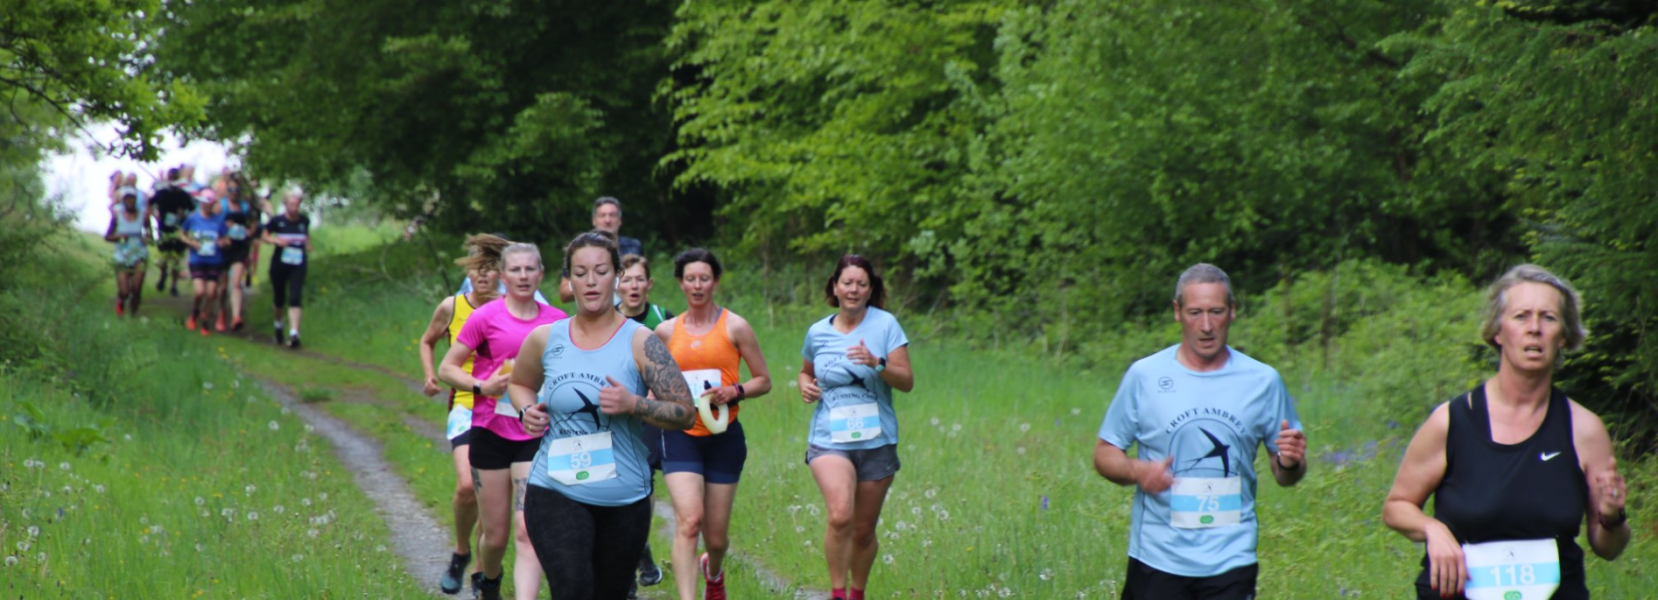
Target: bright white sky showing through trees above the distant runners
pixel 82 177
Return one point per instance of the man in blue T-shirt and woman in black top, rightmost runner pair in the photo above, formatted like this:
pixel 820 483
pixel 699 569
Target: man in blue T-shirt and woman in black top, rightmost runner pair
pixel 1515 467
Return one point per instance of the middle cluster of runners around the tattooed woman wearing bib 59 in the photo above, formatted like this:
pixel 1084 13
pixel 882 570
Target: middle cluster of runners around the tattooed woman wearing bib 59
pixel 558 422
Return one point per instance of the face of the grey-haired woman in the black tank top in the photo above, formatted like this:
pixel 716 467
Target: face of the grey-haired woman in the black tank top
pixel 1533 332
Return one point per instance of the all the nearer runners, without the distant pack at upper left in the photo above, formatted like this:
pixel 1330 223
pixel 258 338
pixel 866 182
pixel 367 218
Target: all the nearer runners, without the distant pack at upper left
pixel 560 422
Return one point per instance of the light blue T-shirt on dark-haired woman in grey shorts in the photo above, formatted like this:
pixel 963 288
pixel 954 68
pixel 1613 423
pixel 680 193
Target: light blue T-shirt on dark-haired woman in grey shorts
pixel 856 410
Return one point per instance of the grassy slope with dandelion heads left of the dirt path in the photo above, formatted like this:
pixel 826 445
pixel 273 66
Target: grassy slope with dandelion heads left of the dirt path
pixel 155 470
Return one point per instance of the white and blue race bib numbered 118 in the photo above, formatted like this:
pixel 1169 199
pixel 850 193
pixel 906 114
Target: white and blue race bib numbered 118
pixel 1513 571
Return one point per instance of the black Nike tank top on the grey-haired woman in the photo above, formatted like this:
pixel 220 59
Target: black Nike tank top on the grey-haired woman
pixel 1525 491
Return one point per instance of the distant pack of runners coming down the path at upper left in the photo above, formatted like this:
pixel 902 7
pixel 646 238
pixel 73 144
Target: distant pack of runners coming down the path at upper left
pixel 220 228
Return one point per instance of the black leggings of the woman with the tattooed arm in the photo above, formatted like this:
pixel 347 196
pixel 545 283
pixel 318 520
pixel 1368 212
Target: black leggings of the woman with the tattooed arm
pixel 589 553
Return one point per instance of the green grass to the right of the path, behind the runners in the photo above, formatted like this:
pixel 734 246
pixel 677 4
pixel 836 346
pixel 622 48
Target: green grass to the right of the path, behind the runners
pixel 997 495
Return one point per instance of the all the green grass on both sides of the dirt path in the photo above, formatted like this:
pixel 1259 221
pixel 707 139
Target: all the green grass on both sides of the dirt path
pixel 997 496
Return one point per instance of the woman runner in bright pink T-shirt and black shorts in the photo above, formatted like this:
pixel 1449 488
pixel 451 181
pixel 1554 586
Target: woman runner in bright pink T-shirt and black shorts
pixel 502 450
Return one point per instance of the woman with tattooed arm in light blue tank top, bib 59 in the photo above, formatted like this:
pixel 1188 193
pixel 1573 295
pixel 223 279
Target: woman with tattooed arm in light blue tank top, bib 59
pixel 589 500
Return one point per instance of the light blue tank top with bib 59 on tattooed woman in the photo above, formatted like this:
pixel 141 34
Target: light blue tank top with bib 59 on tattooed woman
pixel 598 470
